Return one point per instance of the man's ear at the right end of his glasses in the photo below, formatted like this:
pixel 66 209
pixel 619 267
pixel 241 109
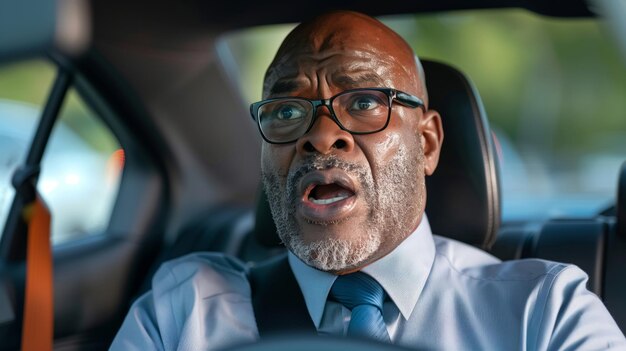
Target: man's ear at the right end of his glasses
pixel 431 132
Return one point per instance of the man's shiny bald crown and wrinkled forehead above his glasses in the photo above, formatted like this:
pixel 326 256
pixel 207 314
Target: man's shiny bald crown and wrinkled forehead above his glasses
pixel 352 50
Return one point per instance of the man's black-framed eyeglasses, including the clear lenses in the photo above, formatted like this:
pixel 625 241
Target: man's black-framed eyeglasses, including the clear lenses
pixel 359 111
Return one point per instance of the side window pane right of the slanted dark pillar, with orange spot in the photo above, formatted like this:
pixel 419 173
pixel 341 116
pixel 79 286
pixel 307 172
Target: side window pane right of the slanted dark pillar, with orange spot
pixel 80 172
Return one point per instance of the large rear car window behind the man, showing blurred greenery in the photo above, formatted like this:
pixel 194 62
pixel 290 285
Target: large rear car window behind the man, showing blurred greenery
pixel 555 103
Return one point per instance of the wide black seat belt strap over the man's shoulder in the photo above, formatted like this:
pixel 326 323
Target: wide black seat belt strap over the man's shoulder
pixel 277 301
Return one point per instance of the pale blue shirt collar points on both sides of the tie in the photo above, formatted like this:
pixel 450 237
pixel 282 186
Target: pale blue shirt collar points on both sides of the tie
pixel 402 273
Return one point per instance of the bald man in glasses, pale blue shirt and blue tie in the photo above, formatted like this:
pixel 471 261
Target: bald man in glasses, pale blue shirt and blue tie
pixel 349 139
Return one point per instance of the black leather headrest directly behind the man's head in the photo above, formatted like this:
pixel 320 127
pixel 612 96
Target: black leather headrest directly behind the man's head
pixel 463 200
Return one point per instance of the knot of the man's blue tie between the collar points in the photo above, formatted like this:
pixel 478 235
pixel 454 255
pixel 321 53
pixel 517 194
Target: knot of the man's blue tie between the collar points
pixel 356 289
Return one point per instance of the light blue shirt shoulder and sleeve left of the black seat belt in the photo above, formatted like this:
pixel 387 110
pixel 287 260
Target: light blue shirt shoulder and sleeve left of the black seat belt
pixel 188 295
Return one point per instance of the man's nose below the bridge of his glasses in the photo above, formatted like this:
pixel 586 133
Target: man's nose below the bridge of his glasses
pixel 325 136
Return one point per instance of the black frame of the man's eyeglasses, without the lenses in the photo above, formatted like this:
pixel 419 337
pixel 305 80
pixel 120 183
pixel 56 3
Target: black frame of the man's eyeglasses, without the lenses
pixel 401 97
